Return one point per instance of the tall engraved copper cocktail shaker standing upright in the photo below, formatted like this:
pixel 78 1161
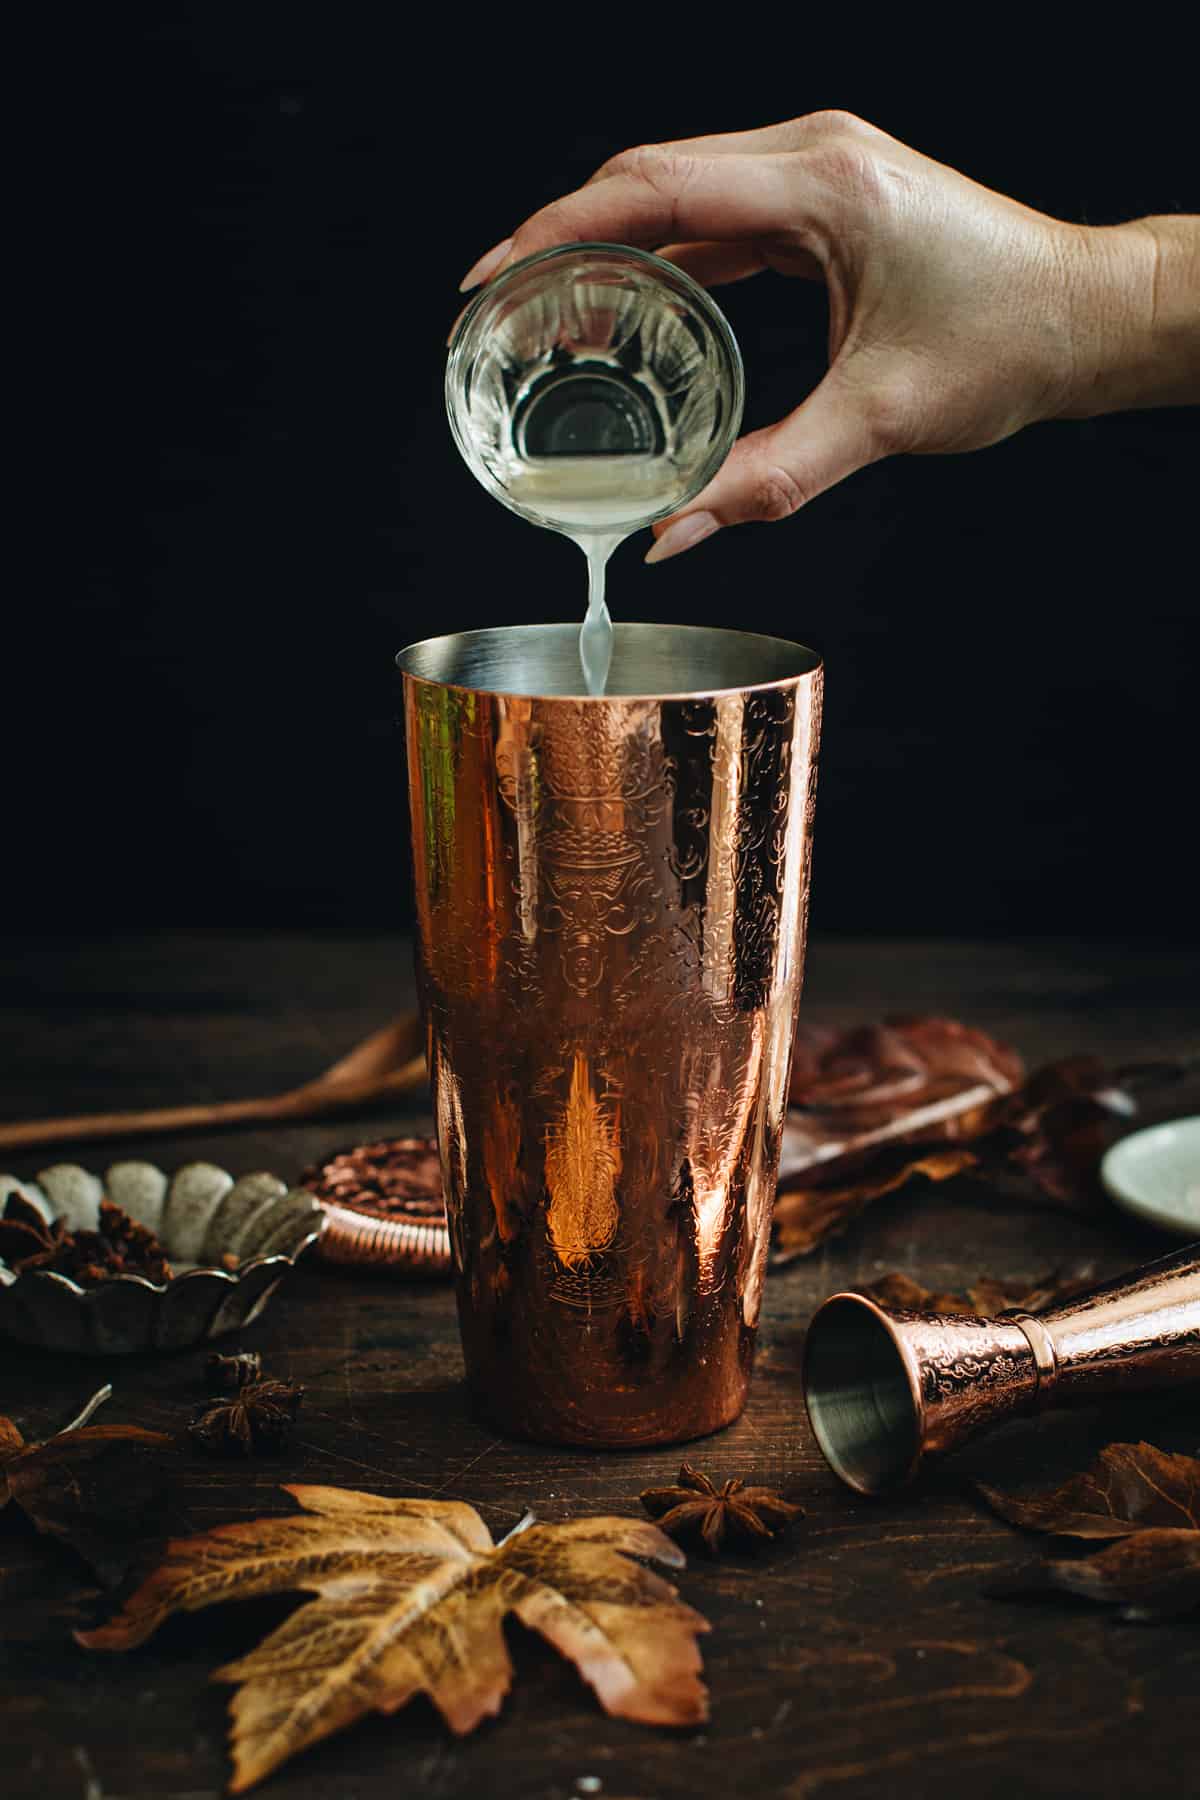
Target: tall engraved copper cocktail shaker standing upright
pixel 613 899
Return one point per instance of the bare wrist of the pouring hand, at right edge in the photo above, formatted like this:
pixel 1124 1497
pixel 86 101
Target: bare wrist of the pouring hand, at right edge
pixel 1134 307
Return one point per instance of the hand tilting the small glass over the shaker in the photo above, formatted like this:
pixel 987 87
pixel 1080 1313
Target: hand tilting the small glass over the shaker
pixel 956 316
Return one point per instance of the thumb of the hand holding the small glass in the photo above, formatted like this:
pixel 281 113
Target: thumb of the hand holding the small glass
pixel 771 474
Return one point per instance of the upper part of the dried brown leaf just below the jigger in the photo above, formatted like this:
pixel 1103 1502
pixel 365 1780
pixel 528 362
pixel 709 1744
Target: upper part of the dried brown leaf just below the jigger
pixel 1127 1489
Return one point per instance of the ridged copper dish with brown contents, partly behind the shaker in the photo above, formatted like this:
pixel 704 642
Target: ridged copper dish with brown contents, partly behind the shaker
pixel 384 1207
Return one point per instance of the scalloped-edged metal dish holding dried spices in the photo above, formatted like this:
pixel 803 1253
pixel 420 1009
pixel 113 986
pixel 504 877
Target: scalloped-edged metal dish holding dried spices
pixel 199 1214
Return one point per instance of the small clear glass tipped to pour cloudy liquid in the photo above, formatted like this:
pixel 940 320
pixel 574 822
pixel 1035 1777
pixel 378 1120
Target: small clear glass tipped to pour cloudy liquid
pixel 595 390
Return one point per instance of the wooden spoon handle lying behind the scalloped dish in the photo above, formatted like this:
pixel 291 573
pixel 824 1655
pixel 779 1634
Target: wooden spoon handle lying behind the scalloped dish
pixel 316 1101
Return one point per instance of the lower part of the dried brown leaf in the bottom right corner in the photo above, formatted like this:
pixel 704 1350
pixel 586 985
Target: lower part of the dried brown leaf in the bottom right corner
pixel 1151 1576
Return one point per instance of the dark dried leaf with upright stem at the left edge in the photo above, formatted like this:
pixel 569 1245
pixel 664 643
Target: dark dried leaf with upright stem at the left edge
pixel 98 1488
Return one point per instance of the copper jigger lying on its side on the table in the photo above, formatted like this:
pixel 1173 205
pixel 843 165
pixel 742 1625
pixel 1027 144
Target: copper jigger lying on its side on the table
pixel 888 1390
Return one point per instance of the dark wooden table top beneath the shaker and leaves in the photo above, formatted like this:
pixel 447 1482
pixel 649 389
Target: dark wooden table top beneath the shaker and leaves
pixel 859 1657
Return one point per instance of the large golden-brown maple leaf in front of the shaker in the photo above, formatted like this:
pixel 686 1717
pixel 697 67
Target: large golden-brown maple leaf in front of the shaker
pixel 411 1599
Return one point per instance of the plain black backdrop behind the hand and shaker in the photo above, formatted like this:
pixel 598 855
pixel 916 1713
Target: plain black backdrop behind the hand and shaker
pixel 258 231
